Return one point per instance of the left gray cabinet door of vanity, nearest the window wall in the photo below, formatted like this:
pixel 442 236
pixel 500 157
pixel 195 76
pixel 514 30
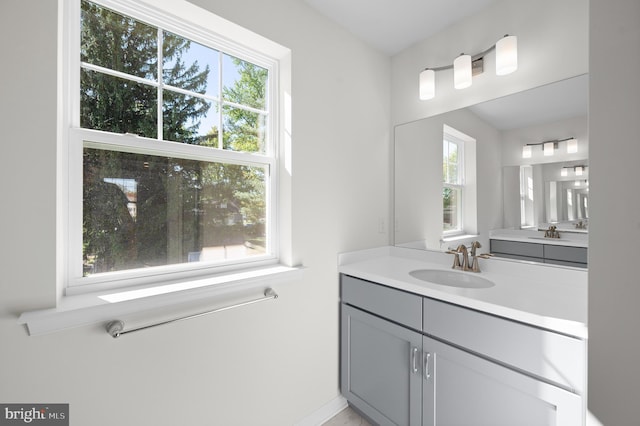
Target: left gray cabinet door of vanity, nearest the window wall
pixel 380 368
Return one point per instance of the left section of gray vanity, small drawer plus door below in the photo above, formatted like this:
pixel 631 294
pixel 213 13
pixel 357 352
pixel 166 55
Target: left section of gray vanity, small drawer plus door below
pixel 381 358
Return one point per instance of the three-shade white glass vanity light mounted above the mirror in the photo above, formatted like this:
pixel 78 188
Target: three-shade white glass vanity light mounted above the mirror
pixel 465 66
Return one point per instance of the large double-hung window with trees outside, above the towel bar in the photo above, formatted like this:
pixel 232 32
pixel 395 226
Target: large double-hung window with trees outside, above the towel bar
pixel 171 149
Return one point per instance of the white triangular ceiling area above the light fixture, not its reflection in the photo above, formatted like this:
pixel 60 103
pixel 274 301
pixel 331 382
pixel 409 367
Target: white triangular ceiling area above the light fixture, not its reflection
pixel 393 25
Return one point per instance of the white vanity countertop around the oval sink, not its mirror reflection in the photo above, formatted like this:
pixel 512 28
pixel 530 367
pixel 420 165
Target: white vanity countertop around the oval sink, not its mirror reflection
pixel 546 296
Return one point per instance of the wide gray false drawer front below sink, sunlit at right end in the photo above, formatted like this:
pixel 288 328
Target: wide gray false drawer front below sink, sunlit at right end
pixel 555 357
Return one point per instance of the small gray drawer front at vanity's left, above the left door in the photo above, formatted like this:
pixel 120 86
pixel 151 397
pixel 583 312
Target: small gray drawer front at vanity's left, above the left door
pixel 398 306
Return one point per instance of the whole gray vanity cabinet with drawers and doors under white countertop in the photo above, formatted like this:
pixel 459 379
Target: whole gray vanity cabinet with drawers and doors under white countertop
pixel 413 360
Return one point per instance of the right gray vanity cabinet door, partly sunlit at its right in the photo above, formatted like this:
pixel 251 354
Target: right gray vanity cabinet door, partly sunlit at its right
pixel 465 389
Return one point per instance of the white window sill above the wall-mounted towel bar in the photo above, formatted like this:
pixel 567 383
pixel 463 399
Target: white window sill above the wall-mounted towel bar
pixel 99 307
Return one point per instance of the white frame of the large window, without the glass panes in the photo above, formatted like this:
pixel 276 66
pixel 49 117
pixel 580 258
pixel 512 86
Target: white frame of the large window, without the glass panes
pixel 73 137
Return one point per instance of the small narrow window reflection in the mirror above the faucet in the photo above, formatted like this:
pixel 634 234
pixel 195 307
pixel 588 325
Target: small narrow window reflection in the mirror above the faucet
pixel 453 184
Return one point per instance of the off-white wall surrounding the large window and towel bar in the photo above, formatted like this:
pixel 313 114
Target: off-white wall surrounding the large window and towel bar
pixel 268 364
